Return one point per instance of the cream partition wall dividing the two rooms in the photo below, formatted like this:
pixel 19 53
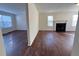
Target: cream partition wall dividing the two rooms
pixel 33 22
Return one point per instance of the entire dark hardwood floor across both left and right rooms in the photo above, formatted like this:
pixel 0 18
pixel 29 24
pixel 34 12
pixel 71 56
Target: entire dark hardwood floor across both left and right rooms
pixel 46 43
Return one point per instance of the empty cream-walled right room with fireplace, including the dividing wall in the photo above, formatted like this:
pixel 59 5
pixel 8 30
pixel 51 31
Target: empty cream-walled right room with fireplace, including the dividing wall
pixel 52 28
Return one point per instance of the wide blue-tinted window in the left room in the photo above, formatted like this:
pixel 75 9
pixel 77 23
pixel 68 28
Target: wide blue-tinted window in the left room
pixel 5 21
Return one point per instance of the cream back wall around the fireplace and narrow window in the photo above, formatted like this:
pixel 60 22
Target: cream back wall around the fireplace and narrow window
pixel 58 16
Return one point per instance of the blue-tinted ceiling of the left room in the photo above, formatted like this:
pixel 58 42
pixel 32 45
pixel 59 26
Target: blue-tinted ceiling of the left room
pixel 14 8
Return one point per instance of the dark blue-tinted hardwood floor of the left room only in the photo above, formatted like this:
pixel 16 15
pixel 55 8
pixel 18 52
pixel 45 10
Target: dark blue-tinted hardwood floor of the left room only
pixel 15 43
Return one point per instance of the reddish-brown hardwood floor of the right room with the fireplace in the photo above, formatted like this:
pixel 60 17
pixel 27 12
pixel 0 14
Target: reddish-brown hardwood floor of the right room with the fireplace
pixel 48 43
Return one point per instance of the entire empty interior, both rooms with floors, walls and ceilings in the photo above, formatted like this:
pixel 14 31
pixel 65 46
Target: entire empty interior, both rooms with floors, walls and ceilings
pixel 39 29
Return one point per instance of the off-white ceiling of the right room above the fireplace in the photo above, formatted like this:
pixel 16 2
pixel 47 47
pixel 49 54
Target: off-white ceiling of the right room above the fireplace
pixel 56 7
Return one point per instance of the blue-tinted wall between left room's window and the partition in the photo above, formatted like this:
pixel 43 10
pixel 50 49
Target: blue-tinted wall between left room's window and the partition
pixel 22 19
